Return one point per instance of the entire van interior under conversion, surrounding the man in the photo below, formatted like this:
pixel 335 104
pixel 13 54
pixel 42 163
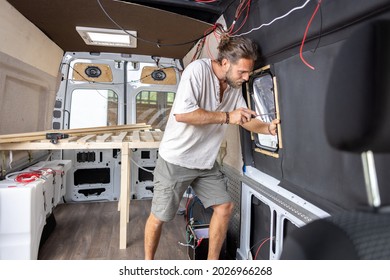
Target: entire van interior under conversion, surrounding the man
pixel 86 89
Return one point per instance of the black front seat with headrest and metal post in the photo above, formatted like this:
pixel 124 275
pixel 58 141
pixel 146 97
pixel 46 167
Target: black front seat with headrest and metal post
pixel 357 120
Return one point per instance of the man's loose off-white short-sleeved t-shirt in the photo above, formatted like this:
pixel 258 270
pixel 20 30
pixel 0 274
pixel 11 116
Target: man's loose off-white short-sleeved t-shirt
pixel 197 146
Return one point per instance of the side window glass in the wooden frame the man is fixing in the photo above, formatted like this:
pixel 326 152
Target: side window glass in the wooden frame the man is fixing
pixel 262 92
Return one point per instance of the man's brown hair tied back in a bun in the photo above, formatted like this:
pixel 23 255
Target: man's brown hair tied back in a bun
pixel 235 48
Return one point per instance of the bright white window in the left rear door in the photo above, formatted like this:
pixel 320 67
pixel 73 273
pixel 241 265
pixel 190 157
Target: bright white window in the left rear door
pixel 91 108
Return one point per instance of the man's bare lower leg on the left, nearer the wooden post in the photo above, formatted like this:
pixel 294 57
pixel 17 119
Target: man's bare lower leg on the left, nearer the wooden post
pixel 153 229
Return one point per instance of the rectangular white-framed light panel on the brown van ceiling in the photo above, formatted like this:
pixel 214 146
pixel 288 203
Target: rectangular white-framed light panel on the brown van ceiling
pixel 108 37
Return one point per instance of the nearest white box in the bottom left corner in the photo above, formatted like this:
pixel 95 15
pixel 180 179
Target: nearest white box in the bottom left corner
pixel 22 218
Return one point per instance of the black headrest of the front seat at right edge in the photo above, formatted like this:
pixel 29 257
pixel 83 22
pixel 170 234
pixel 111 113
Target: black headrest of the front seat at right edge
pixel 357 109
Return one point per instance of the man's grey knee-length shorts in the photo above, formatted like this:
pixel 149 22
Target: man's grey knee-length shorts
pixel 171 181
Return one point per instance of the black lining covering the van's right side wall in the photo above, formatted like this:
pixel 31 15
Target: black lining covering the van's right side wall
pixel 307 164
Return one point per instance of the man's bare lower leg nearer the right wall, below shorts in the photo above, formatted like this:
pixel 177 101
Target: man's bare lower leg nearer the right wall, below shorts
pixel 218 228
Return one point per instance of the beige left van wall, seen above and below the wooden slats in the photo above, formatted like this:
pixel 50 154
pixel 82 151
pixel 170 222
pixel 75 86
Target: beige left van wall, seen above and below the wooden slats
pixel 29 67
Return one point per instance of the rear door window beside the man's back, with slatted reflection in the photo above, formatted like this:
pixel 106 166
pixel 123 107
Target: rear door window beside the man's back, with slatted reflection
pixel 153 107
